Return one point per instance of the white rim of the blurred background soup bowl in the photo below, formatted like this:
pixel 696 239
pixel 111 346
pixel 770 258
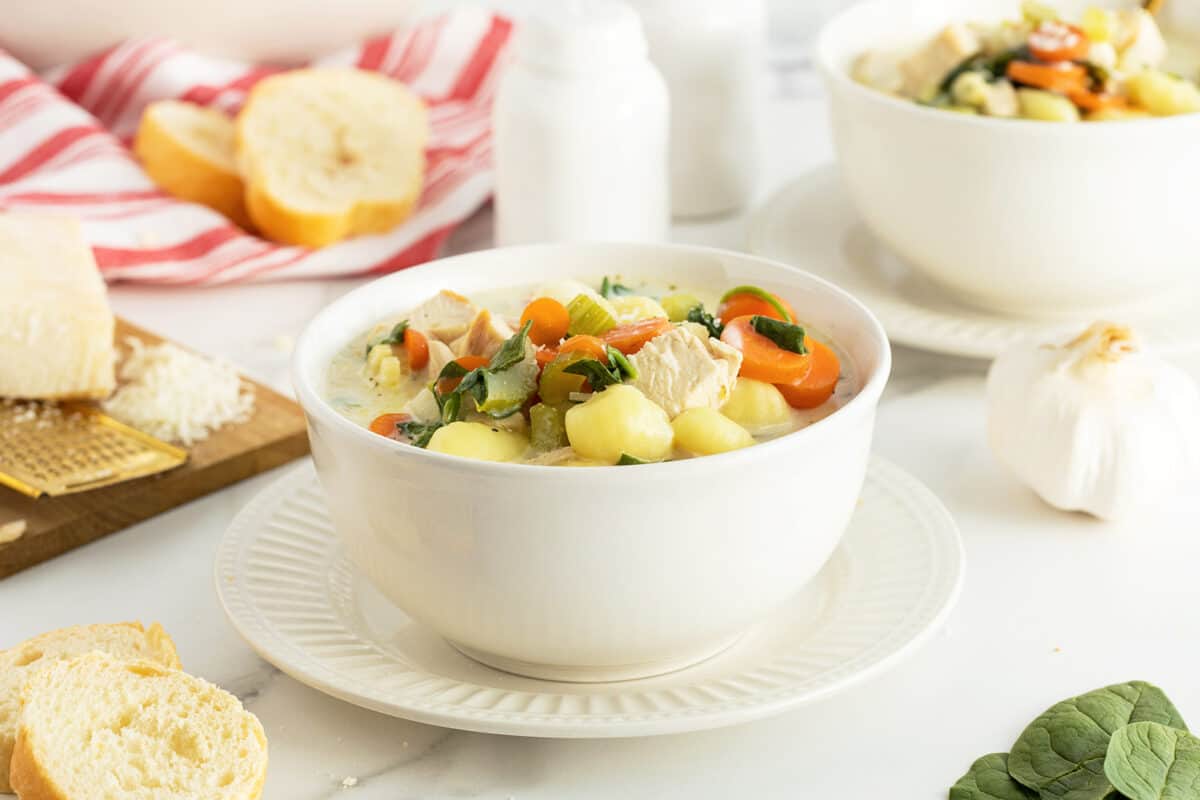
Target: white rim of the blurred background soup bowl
pixel 839 76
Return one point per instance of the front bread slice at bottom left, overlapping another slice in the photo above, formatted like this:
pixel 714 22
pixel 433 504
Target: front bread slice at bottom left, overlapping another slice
pixel 98 729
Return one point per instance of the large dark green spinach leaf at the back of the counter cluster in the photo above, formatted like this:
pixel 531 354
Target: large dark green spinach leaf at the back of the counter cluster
pixel 1061 754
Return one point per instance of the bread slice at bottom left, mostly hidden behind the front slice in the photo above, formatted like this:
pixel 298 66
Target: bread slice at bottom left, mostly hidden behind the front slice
pixel 19 665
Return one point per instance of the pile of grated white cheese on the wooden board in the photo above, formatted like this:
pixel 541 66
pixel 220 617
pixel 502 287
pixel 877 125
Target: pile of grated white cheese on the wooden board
pixel 176 395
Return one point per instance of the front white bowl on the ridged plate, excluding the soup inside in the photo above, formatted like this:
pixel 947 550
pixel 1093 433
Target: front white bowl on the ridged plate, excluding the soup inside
pixel 593 573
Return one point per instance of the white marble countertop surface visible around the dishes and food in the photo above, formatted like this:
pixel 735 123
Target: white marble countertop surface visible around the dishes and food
pixel 1053 605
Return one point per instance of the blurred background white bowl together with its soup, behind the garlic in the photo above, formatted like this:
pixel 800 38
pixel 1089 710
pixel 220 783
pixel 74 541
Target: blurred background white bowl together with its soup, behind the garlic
pixel 1016 215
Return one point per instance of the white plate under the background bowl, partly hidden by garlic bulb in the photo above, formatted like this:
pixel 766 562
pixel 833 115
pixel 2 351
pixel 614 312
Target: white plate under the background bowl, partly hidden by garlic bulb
pixel 812 224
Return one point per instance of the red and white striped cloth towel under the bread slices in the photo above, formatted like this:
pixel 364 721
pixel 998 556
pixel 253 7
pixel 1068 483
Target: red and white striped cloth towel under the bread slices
pixel 63 149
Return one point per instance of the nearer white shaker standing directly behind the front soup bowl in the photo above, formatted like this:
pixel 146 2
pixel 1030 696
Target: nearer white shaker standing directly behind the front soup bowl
pixel 581 130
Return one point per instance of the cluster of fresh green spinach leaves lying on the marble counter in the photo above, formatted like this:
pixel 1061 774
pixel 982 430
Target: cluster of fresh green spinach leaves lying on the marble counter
pixel 1126 741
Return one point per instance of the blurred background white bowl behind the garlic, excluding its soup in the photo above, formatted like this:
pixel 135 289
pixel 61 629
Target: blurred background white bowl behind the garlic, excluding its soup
pixel 1011 215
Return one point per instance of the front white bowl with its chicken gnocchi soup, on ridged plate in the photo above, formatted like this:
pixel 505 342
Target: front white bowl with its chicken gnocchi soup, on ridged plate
pixel 603 484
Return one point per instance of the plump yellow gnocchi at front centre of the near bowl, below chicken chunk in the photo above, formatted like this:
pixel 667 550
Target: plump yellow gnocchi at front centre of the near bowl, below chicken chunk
pixel 621 420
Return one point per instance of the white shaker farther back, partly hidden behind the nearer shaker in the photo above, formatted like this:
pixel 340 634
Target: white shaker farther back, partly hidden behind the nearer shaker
pixel 711 53
